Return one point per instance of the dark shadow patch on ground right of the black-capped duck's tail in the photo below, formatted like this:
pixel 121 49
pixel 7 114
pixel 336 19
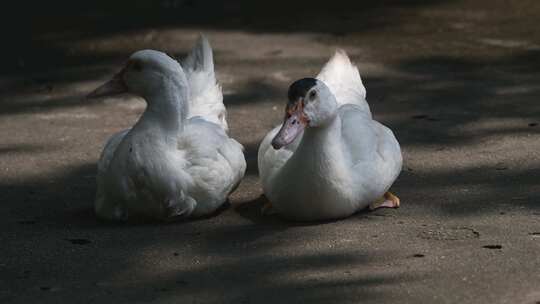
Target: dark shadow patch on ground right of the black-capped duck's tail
pixel 451 94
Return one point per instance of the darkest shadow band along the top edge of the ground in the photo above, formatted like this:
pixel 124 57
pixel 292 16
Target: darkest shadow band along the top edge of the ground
pixel 47 41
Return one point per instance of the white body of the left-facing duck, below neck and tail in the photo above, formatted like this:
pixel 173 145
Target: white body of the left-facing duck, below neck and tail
pixel 206 167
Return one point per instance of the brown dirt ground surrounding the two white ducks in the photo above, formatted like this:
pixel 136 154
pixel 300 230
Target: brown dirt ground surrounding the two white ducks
pixel 457 81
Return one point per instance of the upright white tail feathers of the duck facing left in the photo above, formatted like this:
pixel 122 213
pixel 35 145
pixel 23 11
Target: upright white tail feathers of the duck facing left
pixel 206 98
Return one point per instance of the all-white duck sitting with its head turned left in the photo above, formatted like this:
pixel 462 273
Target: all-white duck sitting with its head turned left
pixel 177 161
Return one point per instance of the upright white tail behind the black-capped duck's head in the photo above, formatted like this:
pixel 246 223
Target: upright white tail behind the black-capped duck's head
pixel 343 79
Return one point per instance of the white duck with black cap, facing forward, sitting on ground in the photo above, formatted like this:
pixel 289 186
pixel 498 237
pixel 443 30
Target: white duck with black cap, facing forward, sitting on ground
pixel 329 159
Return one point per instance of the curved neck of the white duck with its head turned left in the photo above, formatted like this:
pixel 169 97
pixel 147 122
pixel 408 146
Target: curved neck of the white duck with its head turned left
pixel 166 111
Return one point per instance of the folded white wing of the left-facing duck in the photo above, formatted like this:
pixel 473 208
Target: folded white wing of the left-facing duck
pixel 215 161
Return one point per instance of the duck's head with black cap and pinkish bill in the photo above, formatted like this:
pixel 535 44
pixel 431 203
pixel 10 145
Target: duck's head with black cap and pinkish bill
pixel 310 105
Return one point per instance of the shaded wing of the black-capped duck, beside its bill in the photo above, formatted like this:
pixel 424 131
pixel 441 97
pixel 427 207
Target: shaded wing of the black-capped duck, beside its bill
pixel 270 160
